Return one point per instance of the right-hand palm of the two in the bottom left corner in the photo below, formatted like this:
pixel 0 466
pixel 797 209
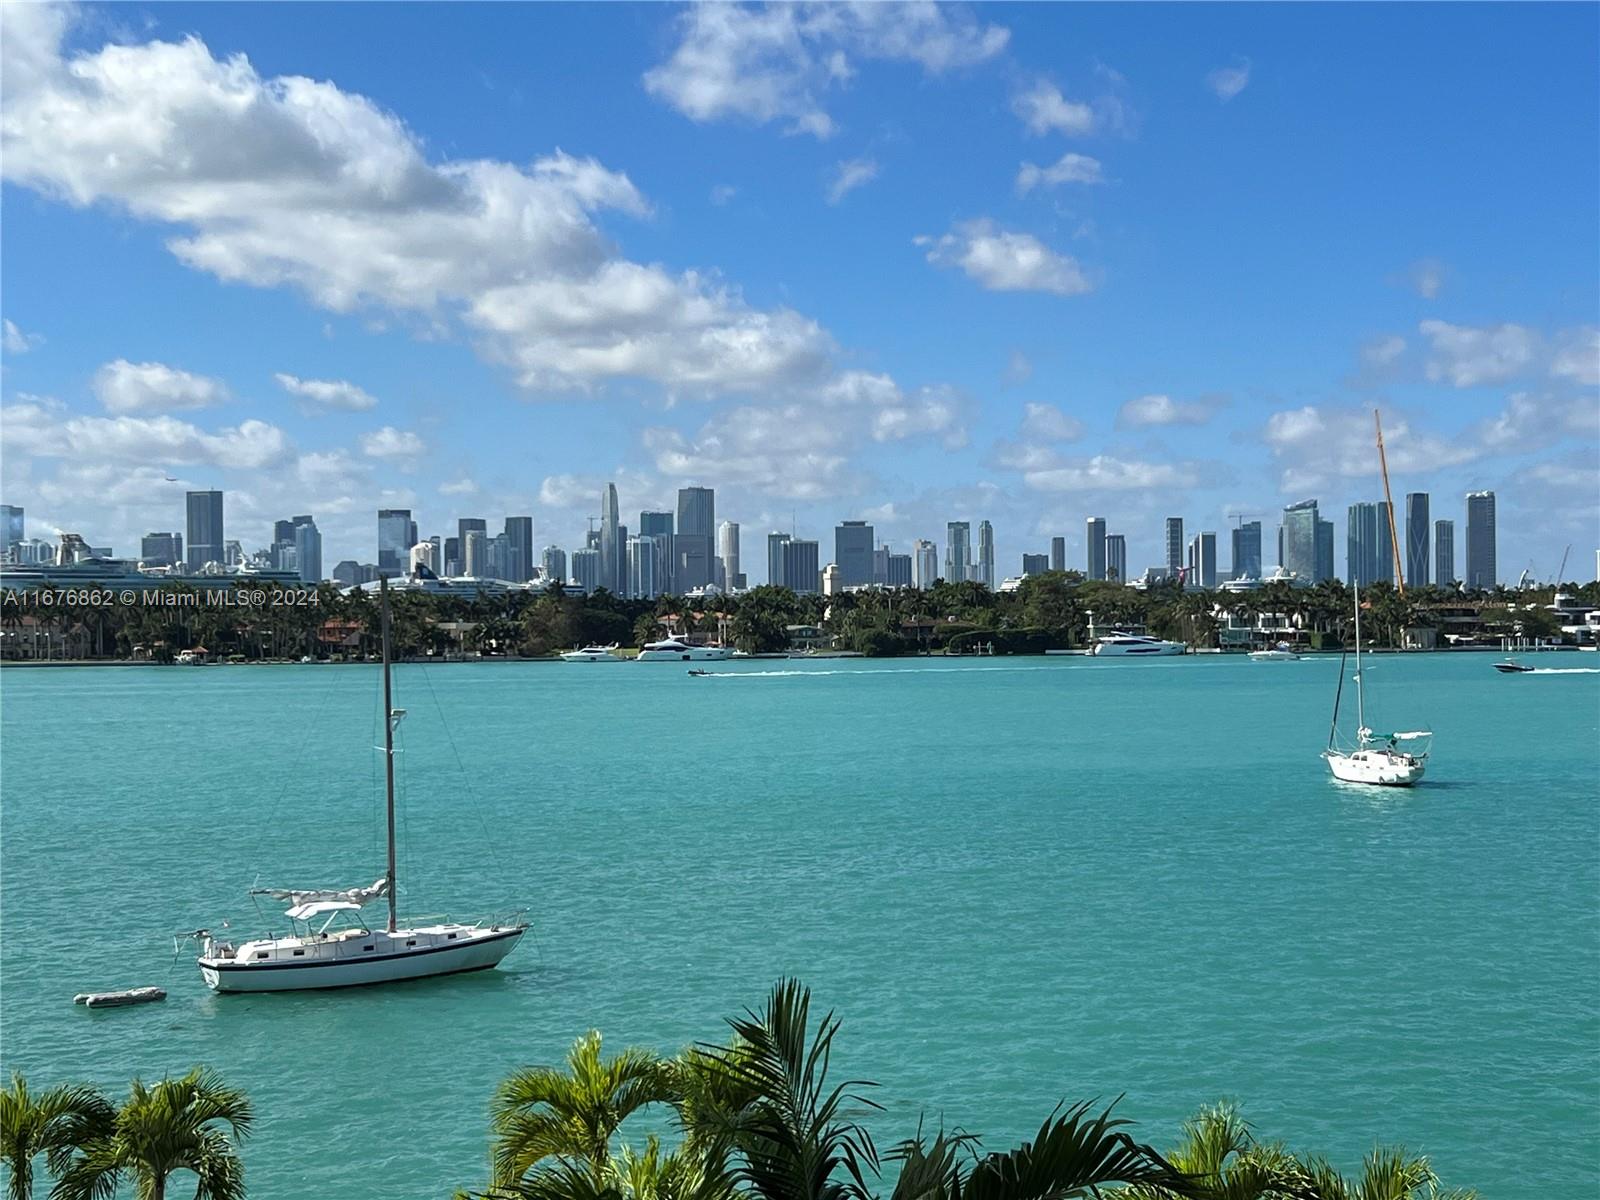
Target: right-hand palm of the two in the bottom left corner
pixel 190 1124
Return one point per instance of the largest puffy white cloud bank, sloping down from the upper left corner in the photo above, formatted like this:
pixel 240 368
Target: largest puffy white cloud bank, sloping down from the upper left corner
pixel 289 182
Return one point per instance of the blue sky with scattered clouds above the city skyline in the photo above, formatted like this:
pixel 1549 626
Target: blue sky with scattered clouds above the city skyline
pixel 910 263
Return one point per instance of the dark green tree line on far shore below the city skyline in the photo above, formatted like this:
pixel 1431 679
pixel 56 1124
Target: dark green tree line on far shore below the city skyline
pixel 1047 612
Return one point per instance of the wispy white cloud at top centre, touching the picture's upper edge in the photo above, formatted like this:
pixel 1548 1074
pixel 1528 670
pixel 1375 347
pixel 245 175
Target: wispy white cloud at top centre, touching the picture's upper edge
pixel 772 63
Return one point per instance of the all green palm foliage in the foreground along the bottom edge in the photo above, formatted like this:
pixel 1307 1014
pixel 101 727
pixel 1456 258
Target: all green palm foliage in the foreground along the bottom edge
pixel 758 1118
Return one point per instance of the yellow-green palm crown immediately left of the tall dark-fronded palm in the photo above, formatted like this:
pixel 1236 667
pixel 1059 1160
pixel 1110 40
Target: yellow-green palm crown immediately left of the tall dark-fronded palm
pixel 572 1116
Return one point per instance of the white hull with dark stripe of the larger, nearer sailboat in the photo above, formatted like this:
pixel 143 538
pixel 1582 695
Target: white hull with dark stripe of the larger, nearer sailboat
pixel 295 966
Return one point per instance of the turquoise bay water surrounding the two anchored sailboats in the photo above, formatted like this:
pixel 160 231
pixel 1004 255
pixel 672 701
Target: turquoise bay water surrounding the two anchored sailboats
pixel 1017 881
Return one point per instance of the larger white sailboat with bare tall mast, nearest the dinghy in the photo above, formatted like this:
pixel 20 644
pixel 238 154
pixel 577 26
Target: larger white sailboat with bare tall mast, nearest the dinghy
pixel 330 946
